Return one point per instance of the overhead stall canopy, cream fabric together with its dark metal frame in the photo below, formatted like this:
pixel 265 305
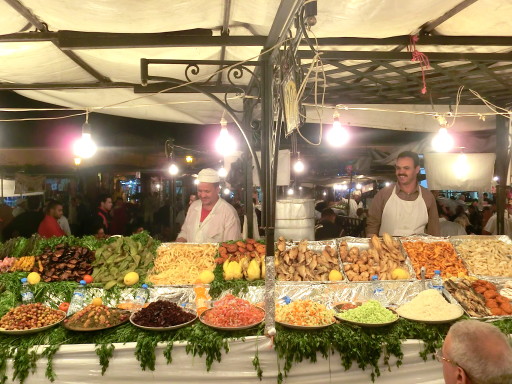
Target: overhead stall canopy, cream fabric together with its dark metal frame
pixel 88 55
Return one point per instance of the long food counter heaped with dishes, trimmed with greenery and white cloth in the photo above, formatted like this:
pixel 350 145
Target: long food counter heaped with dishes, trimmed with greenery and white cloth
pixel 343 340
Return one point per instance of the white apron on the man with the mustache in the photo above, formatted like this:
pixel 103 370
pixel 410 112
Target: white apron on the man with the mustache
pixel 404 218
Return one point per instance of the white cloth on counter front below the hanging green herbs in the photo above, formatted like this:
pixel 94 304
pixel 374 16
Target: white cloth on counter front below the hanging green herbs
pixel 79 364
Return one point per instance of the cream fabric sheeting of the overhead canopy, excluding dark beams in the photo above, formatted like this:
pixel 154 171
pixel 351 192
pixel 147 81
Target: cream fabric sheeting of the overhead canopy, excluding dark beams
pixel 41 62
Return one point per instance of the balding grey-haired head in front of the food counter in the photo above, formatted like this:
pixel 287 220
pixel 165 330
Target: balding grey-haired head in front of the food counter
pixel 481 350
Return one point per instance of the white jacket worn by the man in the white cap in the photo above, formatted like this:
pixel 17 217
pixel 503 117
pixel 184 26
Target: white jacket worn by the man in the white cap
pixel 221 224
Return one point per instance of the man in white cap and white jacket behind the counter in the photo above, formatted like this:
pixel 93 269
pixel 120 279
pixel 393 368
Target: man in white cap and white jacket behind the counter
pixel 210 219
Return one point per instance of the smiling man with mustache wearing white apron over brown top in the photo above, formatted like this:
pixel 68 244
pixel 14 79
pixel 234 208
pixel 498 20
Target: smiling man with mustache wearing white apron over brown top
pixel 404 208
